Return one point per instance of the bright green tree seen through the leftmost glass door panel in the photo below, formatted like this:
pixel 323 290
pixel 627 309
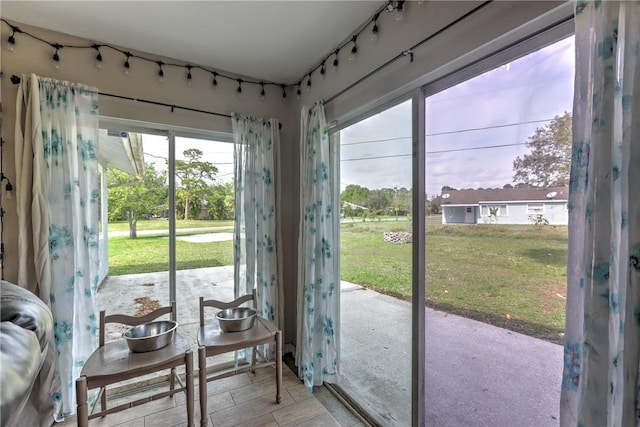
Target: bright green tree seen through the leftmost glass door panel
pixel 131 198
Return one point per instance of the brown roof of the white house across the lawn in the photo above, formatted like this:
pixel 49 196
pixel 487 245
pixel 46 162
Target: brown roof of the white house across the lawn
pixel 473 197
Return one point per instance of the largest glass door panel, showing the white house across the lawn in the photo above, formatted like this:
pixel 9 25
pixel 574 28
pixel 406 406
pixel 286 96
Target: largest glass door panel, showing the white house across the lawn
pixel 498 150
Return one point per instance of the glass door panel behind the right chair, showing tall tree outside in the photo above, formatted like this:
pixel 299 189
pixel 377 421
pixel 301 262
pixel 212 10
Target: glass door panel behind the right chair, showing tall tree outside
pixel 204 199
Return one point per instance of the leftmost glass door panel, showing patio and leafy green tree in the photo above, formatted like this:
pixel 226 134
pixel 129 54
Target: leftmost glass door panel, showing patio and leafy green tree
pixel 137 209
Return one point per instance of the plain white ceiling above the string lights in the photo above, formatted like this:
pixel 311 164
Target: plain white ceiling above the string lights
pixel 271 40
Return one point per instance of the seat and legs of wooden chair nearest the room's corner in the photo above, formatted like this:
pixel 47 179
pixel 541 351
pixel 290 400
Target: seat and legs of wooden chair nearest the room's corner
pixel 212 341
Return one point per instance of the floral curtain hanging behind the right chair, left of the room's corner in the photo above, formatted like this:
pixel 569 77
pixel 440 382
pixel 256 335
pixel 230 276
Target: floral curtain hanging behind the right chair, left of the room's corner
pixel 255 254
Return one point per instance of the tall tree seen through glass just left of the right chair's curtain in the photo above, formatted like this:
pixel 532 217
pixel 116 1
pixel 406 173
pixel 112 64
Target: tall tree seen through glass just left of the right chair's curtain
pixel 196 177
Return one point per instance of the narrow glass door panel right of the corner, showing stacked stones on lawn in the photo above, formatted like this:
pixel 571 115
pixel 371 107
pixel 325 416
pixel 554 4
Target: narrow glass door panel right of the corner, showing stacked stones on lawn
pixel 376 264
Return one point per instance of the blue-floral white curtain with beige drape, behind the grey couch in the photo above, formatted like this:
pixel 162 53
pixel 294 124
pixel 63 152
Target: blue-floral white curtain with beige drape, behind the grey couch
pixel 57 198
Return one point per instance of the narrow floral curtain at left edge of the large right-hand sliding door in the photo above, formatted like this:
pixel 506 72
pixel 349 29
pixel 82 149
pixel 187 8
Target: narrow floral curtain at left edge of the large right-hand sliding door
pixel 318 278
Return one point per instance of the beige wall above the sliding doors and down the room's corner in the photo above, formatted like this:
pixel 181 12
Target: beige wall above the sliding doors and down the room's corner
pixel 452 49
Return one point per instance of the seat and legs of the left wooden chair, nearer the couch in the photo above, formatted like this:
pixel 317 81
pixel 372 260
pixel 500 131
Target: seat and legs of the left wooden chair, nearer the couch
pixel 114 362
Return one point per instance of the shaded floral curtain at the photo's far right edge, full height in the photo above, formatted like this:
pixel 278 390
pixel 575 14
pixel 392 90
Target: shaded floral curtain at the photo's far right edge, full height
pixel 602 338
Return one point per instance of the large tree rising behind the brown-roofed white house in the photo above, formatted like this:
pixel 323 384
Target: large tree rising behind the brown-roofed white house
pixel 548 164
